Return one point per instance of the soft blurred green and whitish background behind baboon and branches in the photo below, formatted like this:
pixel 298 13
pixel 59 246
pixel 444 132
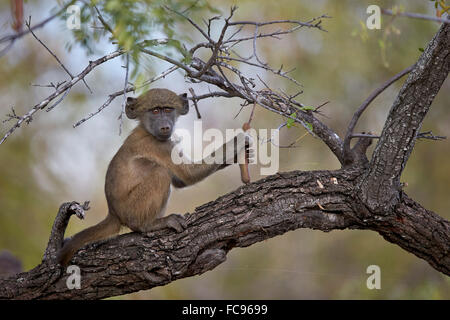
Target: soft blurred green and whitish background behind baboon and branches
pixel 49 162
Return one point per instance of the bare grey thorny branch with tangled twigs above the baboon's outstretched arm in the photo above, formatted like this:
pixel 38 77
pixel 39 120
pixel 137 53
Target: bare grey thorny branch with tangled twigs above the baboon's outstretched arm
pixel 212 72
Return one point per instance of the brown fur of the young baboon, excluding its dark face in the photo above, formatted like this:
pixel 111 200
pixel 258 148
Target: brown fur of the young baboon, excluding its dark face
pixel 138 181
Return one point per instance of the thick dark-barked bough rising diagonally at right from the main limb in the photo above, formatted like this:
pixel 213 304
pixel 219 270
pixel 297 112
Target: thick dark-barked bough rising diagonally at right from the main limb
pixel 380 188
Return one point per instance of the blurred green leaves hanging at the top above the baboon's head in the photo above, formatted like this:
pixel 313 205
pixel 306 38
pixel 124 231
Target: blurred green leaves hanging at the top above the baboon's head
pixel 132 23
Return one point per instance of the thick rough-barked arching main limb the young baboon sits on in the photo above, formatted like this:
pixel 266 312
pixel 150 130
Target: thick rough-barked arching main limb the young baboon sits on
pixel 322 200
